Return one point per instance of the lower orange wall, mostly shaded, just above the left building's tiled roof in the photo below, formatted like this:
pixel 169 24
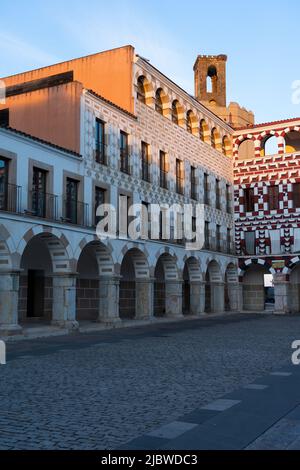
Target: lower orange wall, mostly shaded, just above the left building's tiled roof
pixel 52 114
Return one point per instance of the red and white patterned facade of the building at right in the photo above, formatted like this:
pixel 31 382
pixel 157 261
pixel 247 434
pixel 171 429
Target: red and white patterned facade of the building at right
pixel 260 171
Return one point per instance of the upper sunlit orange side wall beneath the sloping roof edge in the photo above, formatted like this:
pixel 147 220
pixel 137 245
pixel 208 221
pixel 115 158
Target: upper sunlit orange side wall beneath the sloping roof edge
pixel 107 73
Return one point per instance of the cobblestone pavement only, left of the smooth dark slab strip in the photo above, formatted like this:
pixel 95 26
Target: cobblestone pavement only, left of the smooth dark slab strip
pixel 100 390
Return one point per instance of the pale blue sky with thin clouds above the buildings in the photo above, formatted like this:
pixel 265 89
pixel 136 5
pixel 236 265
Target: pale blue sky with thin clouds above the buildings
pixel 260 38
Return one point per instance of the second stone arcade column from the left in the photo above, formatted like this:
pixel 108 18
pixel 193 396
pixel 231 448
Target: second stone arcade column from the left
pixel 64 301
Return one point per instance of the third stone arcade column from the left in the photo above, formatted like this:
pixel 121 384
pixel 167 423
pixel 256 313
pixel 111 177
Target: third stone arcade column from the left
pixel 109 288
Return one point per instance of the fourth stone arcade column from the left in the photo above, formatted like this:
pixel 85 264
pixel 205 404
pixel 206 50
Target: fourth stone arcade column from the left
pixel 144 291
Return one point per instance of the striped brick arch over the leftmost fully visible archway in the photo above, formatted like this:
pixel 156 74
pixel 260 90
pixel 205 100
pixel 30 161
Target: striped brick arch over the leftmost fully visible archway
pixel 57 244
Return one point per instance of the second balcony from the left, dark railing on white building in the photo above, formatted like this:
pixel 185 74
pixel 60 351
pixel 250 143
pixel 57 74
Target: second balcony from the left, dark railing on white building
pixel 43 205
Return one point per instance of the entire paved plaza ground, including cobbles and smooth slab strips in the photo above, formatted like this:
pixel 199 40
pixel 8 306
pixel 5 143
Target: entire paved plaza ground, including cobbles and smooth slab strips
pixel 225 382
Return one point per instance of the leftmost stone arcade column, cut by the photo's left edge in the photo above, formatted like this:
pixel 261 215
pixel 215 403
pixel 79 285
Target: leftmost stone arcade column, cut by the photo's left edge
pixel 9 295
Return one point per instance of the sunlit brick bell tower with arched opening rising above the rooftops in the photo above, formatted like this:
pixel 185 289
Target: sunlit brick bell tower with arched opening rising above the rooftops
pixel 210 79
